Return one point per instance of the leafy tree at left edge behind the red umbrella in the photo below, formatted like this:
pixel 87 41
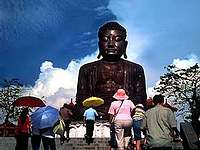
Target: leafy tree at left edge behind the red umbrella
pixel 9 92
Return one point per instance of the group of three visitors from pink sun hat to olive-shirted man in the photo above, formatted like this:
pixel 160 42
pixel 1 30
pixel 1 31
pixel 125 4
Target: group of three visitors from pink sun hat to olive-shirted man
pixel 157 124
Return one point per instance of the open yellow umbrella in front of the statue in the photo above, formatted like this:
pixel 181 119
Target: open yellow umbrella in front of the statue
pixel 93 101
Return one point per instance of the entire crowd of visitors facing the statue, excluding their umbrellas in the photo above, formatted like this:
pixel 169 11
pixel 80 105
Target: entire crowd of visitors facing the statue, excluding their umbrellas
pixel 128 122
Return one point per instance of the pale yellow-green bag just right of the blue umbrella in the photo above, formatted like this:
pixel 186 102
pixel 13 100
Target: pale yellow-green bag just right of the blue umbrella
pixel 59 127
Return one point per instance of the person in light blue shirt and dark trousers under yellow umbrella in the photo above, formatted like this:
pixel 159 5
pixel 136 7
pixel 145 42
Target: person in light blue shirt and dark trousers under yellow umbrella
pixel 90 115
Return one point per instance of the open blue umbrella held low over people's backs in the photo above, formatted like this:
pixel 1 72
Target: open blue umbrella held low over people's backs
pixel 44 117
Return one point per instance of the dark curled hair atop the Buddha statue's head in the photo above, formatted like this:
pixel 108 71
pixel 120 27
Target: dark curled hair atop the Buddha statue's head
pixel 112 26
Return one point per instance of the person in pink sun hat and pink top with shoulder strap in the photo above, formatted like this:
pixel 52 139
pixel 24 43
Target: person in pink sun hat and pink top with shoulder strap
pixel 120 112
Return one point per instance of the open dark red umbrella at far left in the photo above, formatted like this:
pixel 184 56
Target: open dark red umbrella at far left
pixel 29 101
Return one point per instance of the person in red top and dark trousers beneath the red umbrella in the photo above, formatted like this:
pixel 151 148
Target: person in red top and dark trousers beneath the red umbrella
pixel 22 130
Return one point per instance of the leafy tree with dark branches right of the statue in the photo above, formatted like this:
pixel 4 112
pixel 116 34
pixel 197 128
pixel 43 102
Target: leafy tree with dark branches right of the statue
pixel 182 86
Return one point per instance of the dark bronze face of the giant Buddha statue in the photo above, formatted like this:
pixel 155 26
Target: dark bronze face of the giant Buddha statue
pixel 112 44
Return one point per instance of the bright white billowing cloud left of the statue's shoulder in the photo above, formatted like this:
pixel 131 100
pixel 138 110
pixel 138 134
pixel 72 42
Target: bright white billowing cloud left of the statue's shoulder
pixel 57 85
